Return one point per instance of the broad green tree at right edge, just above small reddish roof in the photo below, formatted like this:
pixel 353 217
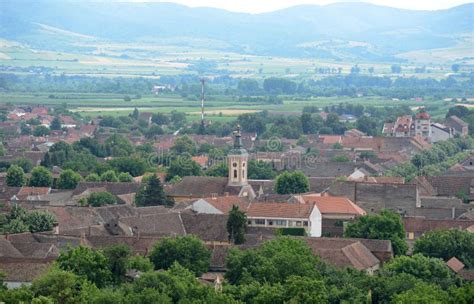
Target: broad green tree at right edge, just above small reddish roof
pixel 445 244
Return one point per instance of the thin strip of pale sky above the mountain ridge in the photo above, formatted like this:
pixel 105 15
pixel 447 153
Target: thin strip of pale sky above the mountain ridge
pixel 259 6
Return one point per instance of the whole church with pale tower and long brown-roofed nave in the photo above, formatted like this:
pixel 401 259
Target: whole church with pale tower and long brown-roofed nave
pixel 236 184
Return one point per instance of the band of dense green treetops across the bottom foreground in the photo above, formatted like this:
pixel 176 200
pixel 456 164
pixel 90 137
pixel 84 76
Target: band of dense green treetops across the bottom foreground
pixel 278 271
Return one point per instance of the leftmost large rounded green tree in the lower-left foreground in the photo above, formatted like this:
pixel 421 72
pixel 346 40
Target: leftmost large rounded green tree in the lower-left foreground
pixel 88 263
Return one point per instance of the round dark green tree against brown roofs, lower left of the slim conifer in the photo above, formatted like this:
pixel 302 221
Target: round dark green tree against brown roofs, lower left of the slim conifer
pixel 188 251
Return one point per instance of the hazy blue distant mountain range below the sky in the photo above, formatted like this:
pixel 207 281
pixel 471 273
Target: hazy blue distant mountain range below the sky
pixel 356 30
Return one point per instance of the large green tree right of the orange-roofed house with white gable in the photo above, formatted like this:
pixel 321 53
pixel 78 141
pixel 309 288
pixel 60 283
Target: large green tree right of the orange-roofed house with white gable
pixel 387 225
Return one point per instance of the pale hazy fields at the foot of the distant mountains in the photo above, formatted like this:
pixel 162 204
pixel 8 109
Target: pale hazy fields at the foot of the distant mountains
pixel 146 60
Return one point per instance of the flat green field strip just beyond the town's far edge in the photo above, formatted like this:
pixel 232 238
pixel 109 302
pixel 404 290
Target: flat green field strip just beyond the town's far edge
pixel 221 108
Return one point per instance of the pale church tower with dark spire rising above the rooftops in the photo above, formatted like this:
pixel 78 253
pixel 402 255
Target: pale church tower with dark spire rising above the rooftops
pixel 237 162
